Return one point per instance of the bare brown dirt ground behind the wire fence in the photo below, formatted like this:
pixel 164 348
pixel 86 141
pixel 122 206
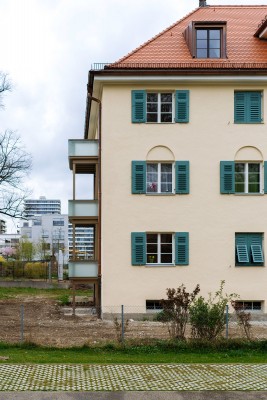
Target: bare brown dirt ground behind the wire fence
pixel 47 323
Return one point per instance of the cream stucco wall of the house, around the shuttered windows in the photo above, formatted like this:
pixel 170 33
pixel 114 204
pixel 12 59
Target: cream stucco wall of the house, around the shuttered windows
pixel 211 218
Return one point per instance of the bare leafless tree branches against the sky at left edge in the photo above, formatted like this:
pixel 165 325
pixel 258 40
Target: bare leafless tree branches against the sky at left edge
pixel 15 164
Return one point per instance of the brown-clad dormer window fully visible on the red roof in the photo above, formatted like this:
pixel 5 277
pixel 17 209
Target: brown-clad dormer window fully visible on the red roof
pixel 206 39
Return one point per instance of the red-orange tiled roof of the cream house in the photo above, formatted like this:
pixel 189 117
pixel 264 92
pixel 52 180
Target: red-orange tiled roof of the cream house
pixel 169 49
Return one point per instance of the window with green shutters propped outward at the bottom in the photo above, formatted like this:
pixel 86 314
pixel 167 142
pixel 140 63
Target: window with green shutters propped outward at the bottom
pixel 249 249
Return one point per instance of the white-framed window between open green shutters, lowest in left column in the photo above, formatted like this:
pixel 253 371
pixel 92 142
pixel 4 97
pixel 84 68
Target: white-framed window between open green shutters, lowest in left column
pixel 159 248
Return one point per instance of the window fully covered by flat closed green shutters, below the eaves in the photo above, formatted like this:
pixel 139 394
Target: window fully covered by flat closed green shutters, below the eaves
pixel 248 107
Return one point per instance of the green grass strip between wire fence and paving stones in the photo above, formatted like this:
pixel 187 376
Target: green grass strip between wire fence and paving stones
pixel 163 352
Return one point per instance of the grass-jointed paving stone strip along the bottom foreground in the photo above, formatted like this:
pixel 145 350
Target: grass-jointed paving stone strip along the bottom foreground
pixel 121 377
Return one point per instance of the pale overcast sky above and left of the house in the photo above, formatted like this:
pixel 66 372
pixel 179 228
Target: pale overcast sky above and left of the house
pixel 47 48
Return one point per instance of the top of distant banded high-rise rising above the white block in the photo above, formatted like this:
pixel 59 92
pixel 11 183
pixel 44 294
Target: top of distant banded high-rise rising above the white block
pixel 41 206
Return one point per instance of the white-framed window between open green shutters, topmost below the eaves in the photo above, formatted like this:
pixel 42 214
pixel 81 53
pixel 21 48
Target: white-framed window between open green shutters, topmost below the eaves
pixel 159 107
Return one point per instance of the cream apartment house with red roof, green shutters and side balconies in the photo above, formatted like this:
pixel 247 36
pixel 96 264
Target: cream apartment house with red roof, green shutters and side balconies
pixel 175 138
